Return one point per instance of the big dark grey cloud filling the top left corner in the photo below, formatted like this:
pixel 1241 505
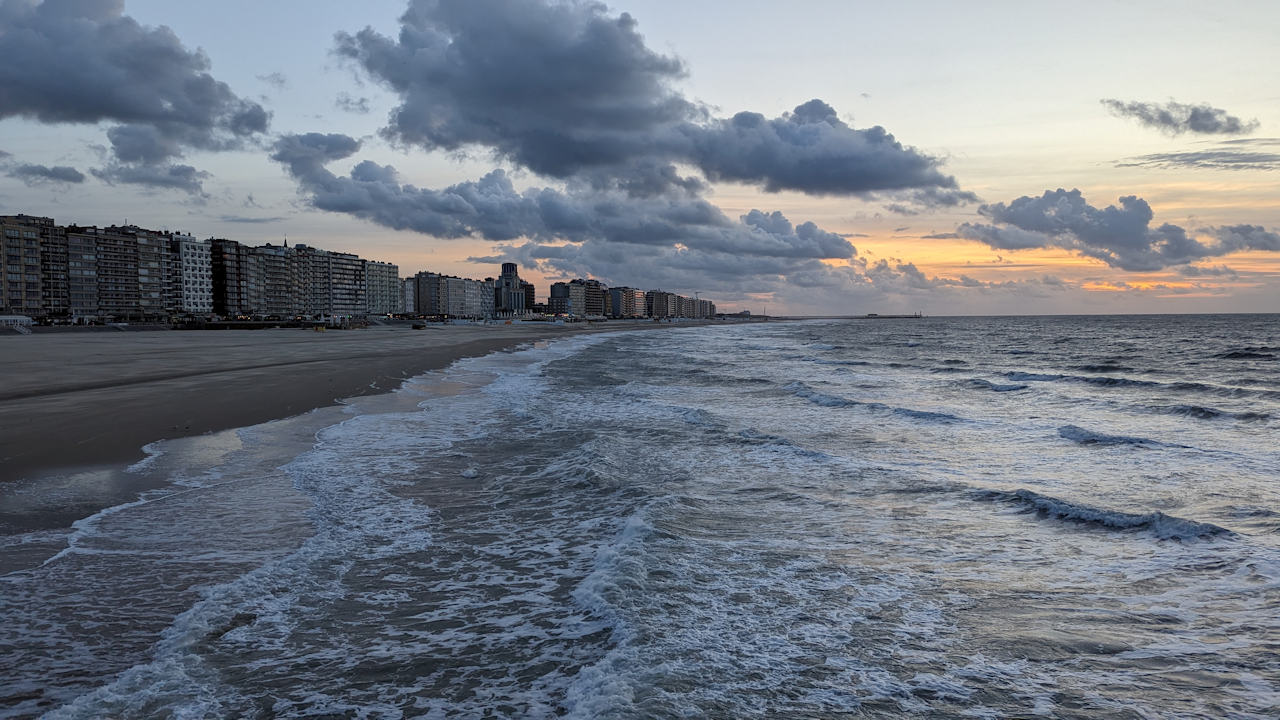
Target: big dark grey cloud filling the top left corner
pixel 86 62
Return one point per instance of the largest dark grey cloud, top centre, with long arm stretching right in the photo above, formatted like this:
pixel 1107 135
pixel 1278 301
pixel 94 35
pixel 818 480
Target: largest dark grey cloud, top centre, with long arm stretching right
pixel 568 90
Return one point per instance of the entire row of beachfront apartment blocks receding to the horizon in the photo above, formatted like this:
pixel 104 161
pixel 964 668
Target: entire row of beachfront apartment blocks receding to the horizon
pixel 135 275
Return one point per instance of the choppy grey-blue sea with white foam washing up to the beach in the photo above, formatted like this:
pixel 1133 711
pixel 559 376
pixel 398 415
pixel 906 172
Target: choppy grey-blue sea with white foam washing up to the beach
pixel 1059 517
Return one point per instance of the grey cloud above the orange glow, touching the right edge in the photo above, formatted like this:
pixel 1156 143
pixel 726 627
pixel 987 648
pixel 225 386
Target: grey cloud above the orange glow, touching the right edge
pixel 1121 236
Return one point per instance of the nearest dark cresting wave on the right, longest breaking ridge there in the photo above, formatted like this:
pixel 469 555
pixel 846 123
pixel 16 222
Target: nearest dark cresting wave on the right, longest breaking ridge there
pixel 1164 527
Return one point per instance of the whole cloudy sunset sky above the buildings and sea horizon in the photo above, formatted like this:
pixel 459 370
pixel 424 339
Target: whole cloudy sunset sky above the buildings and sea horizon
pixel 817 157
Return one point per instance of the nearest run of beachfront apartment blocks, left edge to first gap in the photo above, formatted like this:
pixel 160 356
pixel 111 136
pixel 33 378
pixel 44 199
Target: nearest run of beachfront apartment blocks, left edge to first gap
pixel 130 274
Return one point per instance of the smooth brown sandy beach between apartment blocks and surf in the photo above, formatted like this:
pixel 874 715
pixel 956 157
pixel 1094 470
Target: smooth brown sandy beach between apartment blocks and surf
pixel 94 399
